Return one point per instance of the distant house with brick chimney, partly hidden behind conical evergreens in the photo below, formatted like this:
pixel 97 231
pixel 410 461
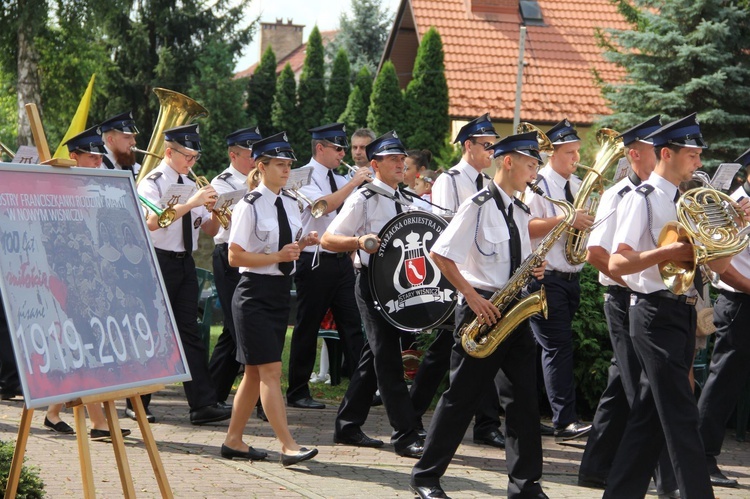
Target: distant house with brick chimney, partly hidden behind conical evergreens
pixel 286 41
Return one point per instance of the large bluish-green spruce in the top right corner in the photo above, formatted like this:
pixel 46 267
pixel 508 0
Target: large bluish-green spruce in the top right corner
pixel 683 57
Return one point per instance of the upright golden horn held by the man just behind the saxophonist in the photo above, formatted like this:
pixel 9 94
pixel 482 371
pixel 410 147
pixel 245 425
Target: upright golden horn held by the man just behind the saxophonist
pixel 592 187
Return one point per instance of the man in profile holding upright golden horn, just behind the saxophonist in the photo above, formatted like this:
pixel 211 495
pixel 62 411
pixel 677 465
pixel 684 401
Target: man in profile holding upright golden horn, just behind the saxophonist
pixel 555 334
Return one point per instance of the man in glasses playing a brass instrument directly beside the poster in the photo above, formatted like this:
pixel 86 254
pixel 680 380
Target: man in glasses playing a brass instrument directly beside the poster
pixel 174 247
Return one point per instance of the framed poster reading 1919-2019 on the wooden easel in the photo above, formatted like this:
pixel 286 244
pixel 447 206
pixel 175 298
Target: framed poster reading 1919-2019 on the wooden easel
pixel 86 305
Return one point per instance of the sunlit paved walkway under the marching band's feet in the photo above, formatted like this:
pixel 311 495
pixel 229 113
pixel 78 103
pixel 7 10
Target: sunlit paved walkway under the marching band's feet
pixel 191 458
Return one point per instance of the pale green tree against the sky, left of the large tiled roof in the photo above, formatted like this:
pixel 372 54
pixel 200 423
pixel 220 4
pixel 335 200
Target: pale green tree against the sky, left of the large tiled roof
pixel 363 36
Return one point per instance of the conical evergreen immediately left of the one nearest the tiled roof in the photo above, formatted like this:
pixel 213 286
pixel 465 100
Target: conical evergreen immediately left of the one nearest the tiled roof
pixel 386 101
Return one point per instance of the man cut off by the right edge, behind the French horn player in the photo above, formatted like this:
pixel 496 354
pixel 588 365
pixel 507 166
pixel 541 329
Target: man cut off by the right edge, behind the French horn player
pixel 730 360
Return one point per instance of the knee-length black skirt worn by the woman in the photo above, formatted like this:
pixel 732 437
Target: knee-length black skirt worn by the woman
pixel 260 306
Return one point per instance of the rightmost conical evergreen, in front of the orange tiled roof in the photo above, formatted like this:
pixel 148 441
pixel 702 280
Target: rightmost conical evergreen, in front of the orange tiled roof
pixel 427 123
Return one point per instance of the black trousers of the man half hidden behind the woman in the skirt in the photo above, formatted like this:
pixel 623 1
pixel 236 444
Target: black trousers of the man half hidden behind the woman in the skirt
pixel 223 365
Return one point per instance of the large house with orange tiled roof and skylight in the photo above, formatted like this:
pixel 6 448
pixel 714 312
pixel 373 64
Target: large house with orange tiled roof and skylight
pixel 481 41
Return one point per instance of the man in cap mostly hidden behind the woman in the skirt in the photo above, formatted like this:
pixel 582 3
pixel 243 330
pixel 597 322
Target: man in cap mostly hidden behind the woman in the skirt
pixel 223 365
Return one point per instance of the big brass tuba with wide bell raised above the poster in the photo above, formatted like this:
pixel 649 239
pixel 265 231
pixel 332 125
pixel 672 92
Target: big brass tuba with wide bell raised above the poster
pixel 175 110
